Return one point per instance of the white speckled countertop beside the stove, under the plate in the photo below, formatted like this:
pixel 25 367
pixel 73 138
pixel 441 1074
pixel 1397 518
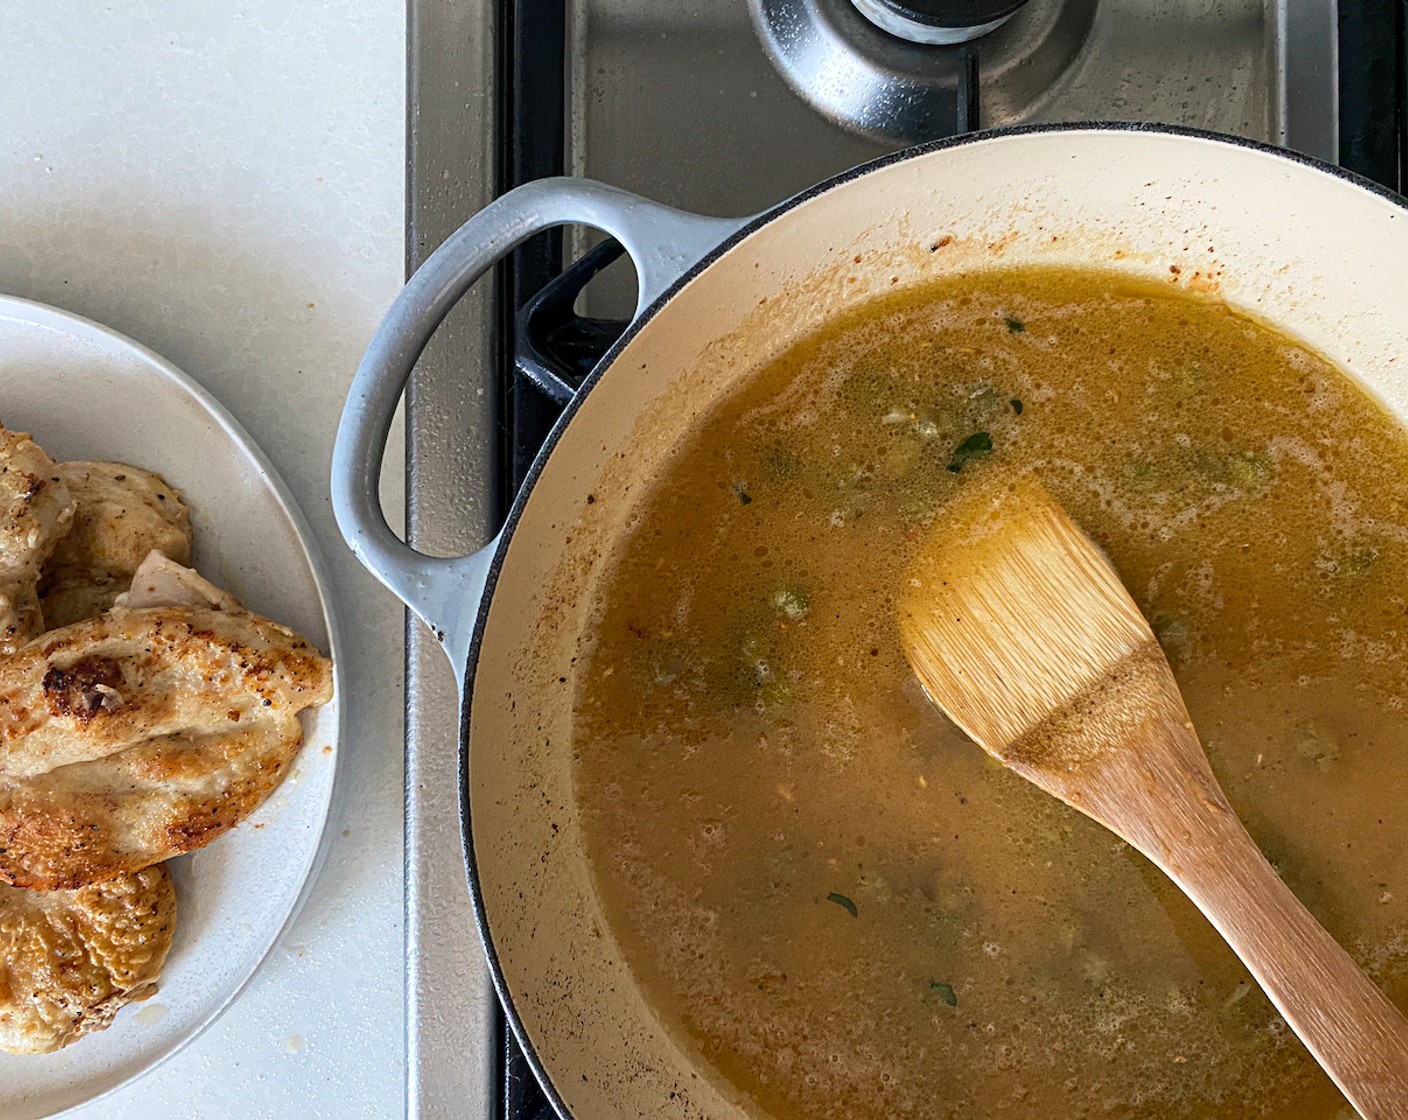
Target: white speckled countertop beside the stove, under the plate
pixel 225 184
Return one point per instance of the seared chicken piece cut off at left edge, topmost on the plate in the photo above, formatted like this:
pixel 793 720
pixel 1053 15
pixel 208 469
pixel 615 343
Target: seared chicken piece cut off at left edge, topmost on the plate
pixel 36 514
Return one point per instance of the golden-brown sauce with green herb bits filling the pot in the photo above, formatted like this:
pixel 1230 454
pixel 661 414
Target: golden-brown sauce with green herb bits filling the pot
pixel 848 909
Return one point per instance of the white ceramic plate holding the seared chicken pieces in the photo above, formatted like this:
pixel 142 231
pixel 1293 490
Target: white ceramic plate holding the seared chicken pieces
pixel 87 392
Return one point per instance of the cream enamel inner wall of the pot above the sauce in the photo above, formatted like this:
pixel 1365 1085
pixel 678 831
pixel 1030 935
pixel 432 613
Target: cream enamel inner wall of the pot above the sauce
pixel 1314 254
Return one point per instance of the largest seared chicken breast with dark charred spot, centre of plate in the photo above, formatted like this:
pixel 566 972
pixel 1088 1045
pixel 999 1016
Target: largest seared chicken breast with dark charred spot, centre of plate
pixel 142 735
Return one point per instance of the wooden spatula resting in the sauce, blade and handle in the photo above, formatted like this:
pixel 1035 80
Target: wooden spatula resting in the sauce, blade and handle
pixel 1020 629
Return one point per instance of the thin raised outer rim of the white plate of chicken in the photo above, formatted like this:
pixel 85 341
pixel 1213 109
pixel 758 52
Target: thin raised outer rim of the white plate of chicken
pixel 44 315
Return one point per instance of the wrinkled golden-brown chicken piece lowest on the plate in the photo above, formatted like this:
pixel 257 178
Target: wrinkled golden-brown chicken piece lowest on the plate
pixel 71 959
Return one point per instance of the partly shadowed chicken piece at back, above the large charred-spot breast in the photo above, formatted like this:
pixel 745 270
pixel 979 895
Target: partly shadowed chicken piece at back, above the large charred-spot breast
pixel 123 515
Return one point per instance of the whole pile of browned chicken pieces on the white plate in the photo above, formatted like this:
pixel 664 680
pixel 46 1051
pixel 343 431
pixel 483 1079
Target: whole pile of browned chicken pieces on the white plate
pixel 153 715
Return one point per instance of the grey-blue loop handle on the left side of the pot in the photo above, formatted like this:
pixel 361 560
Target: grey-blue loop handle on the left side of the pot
pixel 662 243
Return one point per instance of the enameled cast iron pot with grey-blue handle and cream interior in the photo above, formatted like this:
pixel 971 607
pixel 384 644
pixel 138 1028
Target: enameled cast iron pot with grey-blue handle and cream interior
pixel 1313 250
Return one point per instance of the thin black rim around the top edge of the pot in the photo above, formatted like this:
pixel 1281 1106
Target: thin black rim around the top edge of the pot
pixel 609 360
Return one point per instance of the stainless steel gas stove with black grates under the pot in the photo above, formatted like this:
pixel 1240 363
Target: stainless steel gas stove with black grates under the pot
pixel 727 108
